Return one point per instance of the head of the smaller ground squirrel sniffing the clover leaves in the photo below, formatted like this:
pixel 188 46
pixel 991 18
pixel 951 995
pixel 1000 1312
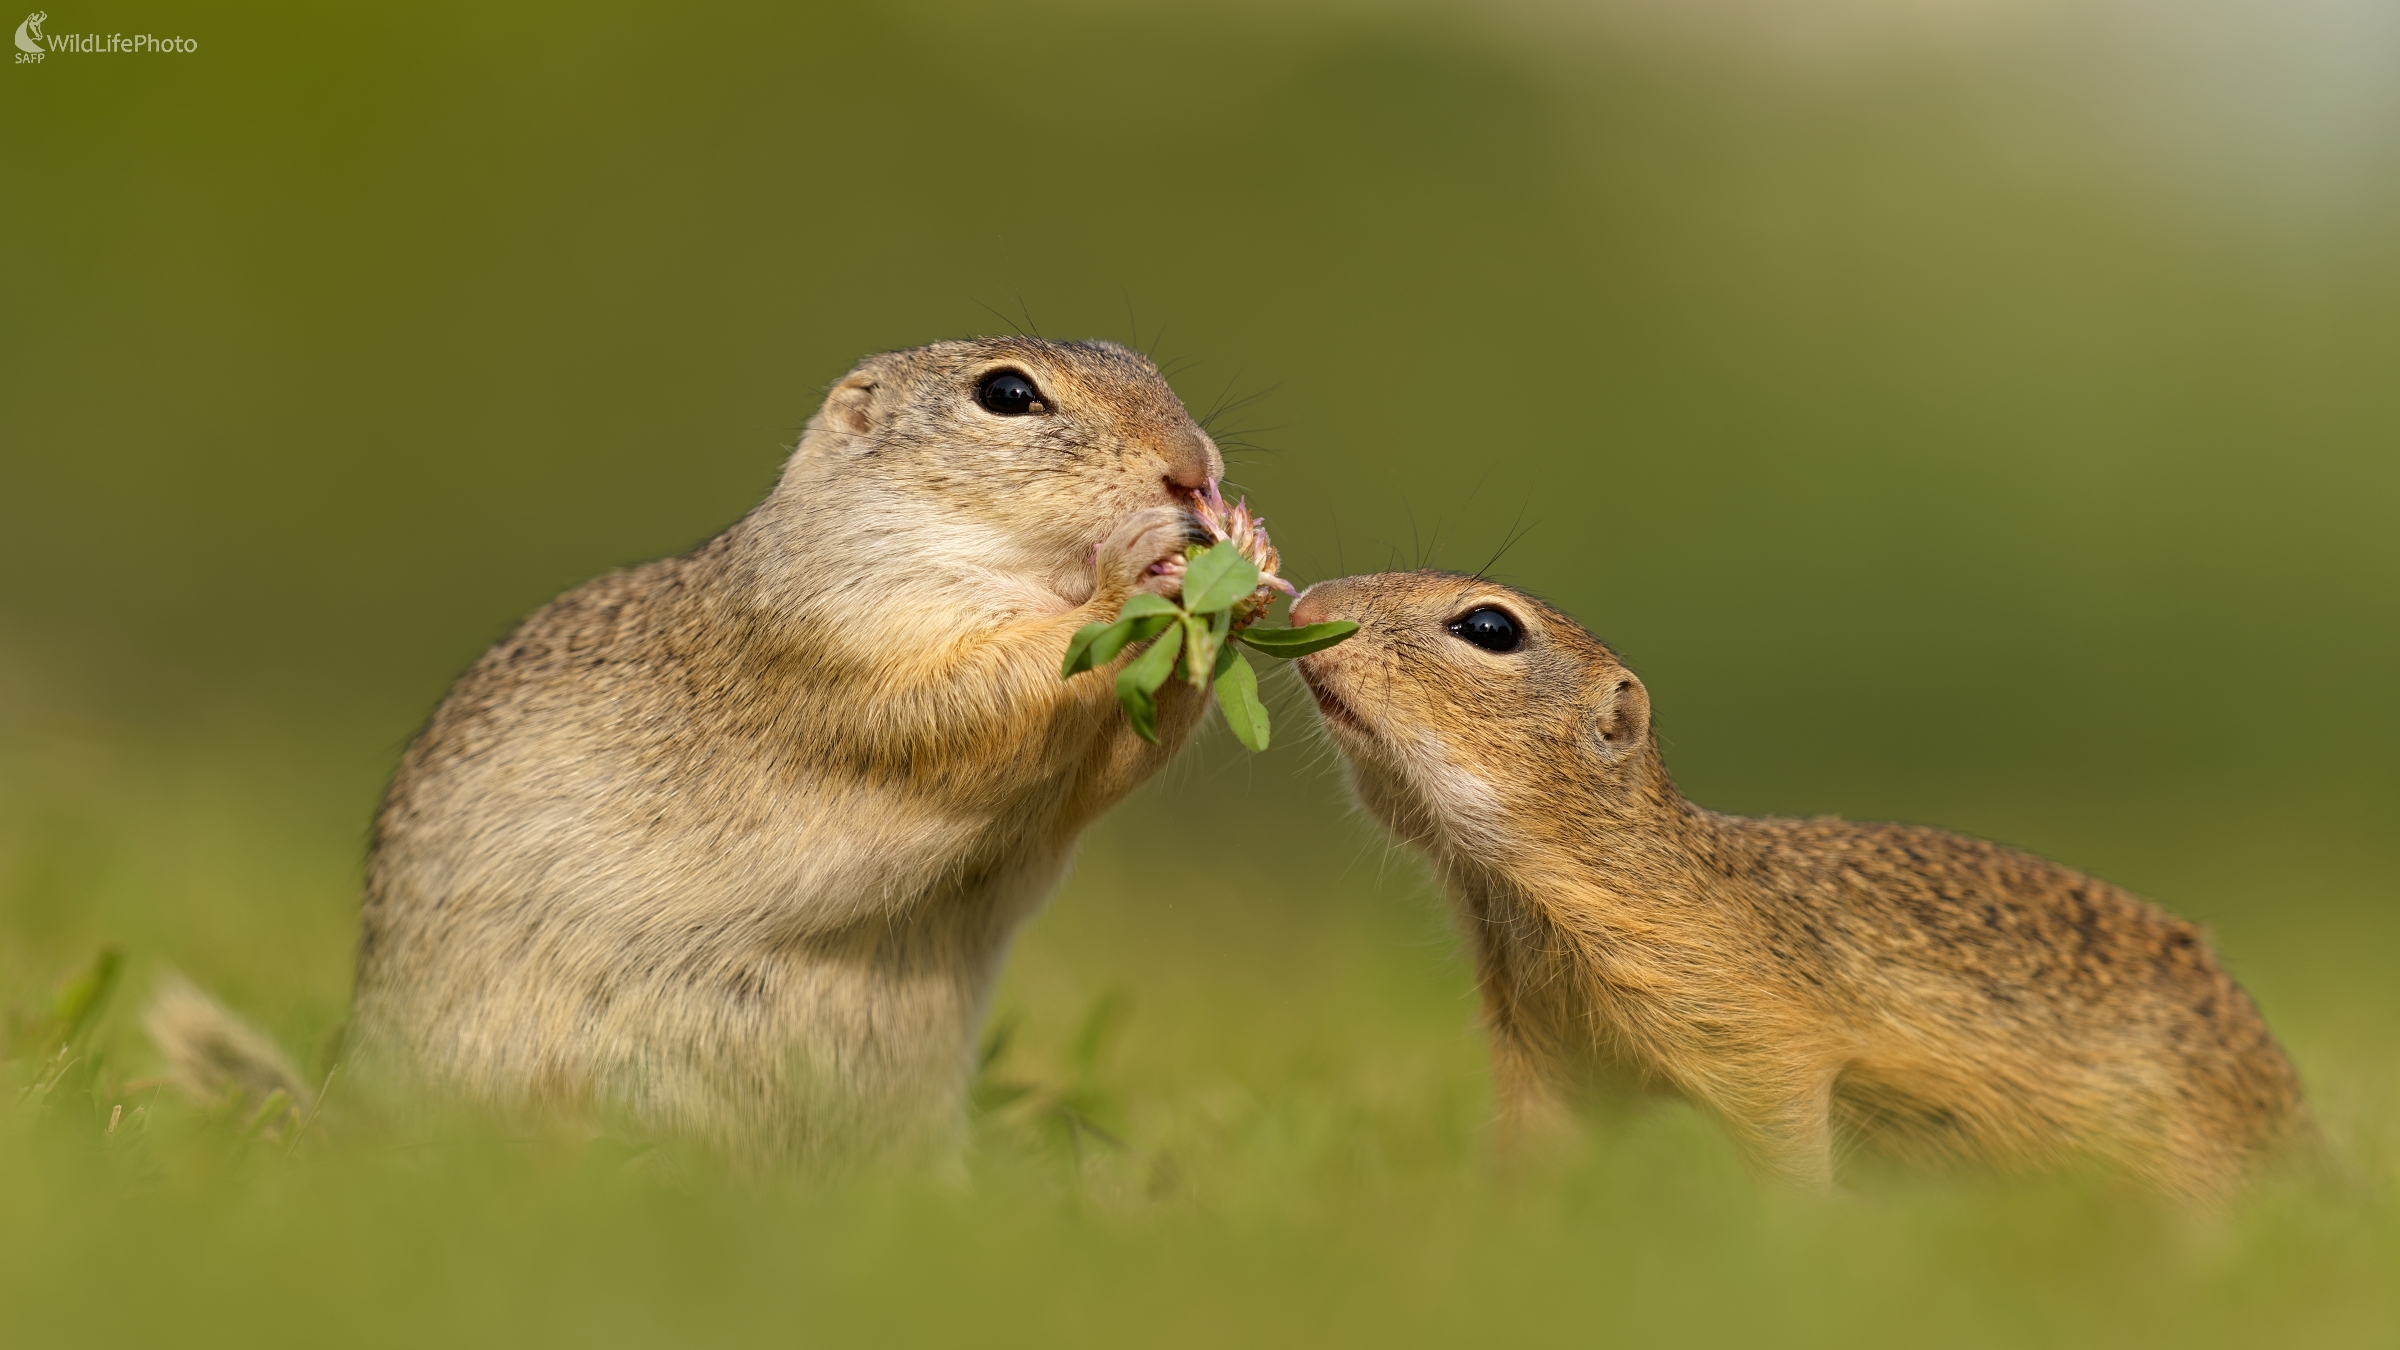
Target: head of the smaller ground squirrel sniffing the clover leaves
pixel 1465 707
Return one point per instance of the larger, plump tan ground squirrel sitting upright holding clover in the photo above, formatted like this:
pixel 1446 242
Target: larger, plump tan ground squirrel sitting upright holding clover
pixel 733 844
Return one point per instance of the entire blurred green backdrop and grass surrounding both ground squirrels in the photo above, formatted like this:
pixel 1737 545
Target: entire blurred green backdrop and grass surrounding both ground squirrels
pixel 1967 412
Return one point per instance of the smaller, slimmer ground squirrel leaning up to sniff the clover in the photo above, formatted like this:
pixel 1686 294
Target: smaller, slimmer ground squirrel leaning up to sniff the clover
pixel 1813 984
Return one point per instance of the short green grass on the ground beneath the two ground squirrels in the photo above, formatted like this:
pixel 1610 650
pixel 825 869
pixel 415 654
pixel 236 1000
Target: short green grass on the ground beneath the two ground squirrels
pixel 1208 1121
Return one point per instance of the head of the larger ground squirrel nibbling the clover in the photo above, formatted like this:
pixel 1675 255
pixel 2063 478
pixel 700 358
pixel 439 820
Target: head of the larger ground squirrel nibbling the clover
pixel 1024 455
